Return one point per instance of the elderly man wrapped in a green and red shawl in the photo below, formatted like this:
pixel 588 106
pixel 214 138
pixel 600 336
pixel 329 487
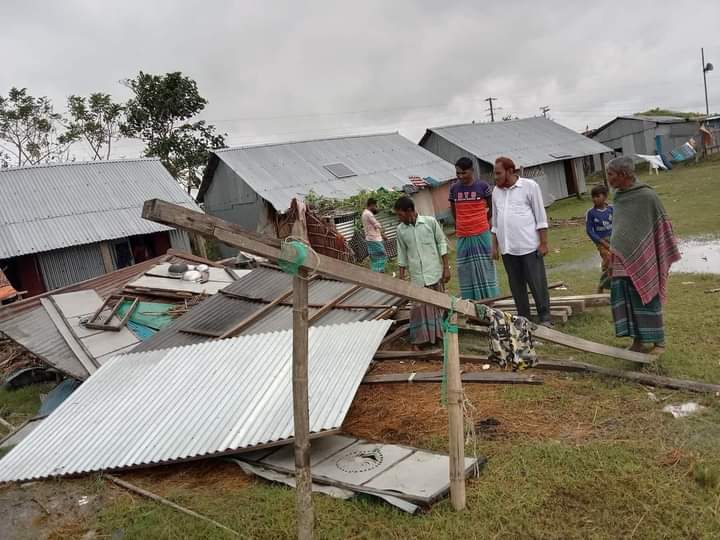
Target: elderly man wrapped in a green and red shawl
pixel 643 247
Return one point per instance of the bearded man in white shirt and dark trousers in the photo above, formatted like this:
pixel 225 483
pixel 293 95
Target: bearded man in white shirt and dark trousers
pixel 519 229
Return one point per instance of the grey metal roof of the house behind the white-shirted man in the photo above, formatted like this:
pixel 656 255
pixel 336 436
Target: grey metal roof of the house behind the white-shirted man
pixel 527 141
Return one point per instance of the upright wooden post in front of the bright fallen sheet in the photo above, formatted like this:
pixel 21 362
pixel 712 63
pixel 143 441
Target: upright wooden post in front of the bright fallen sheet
pixel 301 412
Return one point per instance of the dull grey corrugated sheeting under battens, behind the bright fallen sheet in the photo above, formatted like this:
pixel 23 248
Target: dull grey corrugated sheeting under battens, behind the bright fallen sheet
pixel 221 312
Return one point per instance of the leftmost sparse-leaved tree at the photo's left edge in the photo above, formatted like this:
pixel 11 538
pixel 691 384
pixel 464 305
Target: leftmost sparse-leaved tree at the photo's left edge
pixel 30 130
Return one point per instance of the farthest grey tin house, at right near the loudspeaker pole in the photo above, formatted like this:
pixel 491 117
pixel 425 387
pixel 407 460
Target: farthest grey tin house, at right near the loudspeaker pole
pixel 647 135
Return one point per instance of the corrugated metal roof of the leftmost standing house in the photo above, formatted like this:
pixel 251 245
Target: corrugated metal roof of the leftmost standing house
pixel 56 206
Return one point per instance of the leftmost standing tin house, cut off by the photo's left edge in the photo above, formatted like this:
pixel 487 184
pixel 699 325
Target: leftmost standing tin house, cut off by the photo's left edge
pixel 65 223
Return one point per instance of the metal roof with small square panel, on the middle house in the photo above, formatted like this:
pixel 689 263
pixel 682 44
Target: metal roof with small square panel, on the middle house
pixel 281 172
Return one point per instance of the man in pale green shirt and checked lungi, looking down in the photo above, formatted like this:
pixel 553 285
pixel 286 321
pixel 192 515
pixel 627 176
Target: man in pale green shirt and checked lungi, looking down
pixel 422 252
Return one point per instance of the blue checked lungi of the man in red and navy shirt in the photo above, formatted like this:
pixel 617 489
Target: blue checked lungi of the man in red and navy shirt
pixel 476 269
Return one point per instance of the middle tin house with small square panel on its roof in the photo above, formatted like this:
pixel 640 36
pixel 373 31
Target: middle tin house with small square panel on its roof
pixel 253 186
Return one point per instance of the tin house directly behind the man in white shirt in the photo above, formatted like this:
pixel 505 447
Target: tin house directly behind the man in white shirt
pixel 549 153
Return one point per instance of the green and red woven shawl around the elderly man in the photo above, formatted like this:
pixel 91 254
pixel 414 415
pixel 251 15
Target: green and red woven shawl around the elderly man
pixel 643 240
